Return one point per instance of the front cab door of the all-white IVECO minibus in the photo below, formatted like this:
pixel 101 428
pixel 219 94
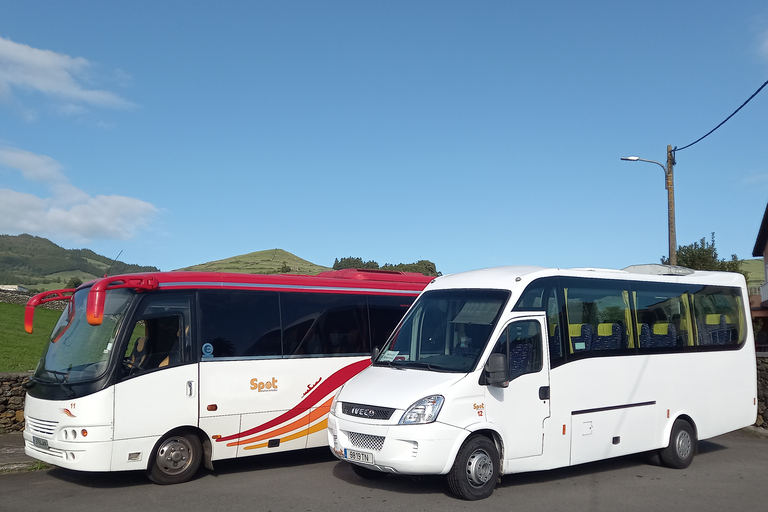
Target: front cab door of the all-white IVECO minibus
pixel 520 409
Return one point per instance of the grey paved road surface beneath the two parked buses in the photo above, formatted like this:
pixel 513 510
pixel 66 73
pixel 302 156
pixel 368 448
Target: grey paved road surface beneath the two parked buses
pixel 729 473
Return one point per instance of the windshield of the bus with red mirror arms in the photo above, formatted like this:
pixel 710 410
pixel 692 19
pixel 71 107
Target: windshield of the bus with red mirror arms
pixel 77 351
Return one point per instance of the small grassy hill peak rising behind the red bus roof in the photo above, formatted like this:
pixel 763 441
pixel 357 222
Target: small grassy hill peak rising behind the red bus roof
pixel 272 261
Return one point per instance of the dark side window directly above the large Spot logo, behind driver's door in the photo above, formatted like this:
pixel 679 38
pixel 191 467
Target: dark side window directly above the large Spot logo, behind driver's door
pixel 237 324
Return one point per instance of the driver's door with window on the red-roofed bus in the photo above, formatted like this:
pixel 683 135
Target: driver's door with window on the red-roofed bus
pixel 157 385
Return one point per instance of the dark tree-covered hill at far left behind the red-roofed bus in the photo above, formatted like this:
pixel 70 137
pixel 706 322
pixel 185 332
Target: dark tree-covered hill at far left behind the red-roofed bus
pixel 38 263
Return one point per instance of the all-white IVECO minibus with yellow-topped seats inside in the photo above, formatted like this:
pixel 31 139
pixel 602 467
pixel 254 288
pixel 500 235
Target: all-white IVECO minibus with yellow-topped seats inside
pixel 514 369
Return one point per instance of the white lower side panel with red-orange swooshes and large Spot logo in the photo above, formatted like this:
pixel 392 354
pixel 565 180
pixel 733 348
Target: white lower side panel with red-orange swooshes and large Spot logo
pixel 252 407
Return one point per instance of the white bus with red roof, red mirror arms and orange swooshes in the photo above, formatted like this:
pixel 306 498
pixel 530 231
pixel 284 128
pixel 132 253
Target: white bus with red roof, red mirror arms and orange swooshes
pixel 164 371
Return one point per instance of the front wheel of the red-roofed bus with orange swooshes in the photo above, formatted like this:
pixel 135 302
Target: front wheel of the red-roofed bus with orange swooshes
pixel 175 458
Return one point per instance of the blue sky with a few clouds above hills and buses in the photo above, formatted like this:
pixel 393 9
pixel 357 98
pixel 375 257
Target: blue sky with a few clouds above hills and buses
pixel 472 134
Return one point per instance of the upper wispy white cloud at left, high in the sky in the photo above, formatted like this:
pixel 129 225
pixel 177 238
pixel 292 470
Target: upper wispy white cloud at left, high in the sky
pixel 52 74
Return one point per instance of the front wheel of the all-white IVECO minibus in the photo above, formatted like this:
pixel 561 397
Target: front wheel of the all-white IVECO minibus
pixel 475 471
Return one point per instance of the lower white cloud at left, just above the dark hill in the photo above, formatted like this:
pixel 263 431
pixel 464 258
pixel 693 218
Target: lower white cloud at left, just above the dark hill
pixel 69 212
